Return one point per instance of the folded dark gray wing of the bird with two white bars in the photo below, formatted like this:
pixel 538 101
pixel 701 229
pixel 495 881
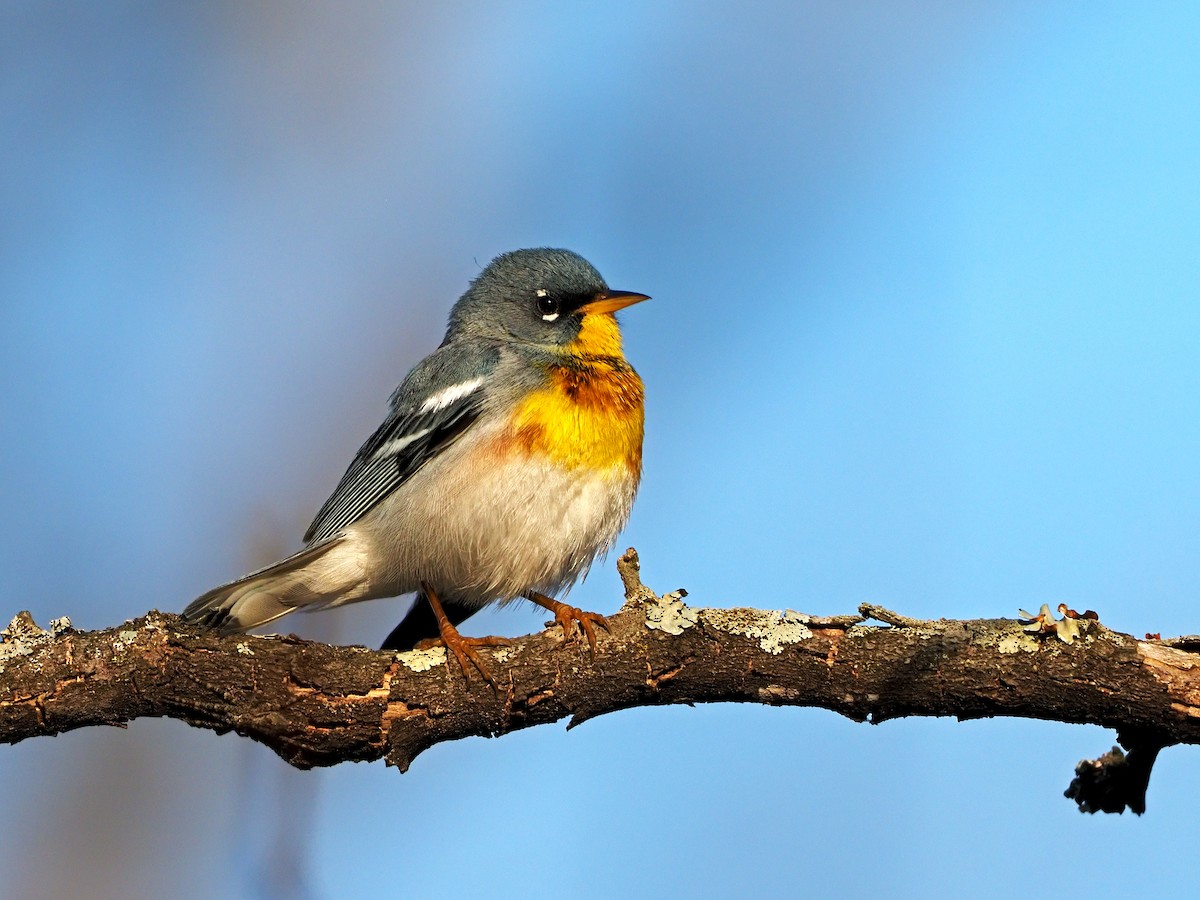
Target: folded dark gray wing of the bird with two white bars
pixel 439 401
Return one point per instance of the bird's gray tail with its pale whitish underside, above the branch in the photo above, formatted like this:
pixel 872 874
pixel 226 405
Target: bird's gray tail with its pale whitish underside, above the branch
pixel 316 577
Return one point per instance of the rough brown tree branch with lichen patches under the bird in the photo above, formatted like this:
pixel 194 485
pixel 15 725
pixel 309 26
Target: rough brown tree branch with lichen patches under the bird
pixel 317 705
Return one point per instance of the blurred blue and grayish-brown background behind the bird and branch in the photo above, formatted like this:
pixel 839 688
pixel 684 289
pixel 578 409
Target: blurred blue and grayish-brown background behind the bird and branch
pixel 926 332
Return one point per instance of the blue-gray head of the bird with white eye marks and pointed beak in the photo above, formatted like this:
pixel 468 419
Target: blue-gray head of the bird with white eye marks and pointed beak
pixel 535 297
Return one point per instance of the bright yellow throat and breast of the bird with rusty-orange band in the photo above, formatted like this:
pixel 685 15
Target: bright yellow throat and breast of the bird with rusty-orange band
pixel 591 412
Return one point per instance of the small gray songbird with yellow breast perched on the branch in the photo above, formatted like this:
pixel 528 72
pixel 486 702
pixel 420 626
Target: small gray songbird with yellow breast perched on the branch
pixel 508 463
